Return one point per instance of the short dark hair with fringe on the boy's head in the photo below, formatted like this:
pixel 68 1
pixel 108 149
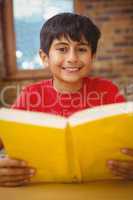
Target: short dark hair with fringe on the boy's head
pixel 69 25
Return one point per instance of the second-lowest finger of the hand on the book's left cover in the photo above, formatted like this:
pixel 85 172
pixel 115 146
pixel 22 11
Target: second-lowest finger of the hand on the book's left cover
pixel 4 179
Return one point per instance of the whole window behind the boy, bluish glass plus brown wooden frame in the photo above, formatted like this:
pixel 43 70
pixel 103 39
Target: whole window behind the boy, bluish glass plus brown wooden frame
pixel 21 26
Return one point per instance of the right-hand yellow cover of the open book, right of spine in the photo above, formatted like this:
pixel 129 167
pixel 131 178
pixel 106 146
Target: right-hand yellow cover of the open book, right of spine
pixel 100 140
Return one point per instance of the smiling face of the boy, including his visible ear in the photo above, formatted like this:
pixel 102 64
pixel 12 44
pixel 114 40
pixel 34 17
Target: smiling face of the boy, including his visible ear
pixel 69 60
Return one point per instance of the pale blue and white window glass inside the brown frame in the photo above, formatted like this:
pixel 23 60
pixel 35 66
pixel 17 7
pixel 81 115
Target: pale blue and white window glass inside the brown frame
pixel 28 22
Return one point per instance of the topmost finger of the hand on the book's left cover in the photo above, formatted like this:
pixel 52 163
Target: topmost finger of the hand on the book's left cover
pixel 10 162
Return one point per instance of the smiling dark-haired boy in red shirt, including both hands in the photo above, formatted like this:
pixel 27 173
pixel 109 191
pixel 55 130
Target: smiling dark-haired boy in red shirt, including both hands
pixel 68 47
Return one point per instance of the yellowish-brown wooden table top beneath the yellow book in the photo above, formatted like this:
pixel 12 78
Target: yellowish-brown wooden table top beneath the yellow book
pixel 114 190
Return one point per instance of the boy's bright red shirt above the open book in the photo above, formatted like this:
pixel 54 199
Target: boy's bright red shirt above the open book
pixel 42 97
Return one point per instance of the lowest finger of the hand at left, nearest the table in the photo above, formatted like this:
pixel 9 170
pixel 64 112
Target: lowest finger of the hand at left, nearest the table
pixel 13 184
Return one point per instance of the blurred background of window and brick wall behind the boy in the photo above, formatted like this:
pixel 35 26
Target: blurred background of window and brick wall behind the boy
pixel 20 23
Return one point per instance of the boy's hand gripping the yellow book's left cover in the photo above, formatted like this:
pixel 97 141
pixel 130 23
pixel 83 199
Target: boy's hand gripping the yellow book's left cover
pixel 14 172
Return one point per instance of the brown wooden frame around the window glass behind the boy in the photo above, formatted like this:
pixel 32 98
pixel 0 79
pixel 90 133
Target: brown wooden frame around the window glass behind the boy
pixel 9 44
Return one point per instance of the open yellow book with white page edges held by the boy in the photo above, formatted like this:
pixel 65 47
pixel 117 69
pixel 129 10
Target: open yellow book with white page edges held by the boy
pixel 70 149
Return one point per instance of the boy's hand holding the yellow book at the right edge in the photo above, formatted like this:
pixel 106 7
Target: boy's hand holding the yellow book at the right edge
pixel 122 168
